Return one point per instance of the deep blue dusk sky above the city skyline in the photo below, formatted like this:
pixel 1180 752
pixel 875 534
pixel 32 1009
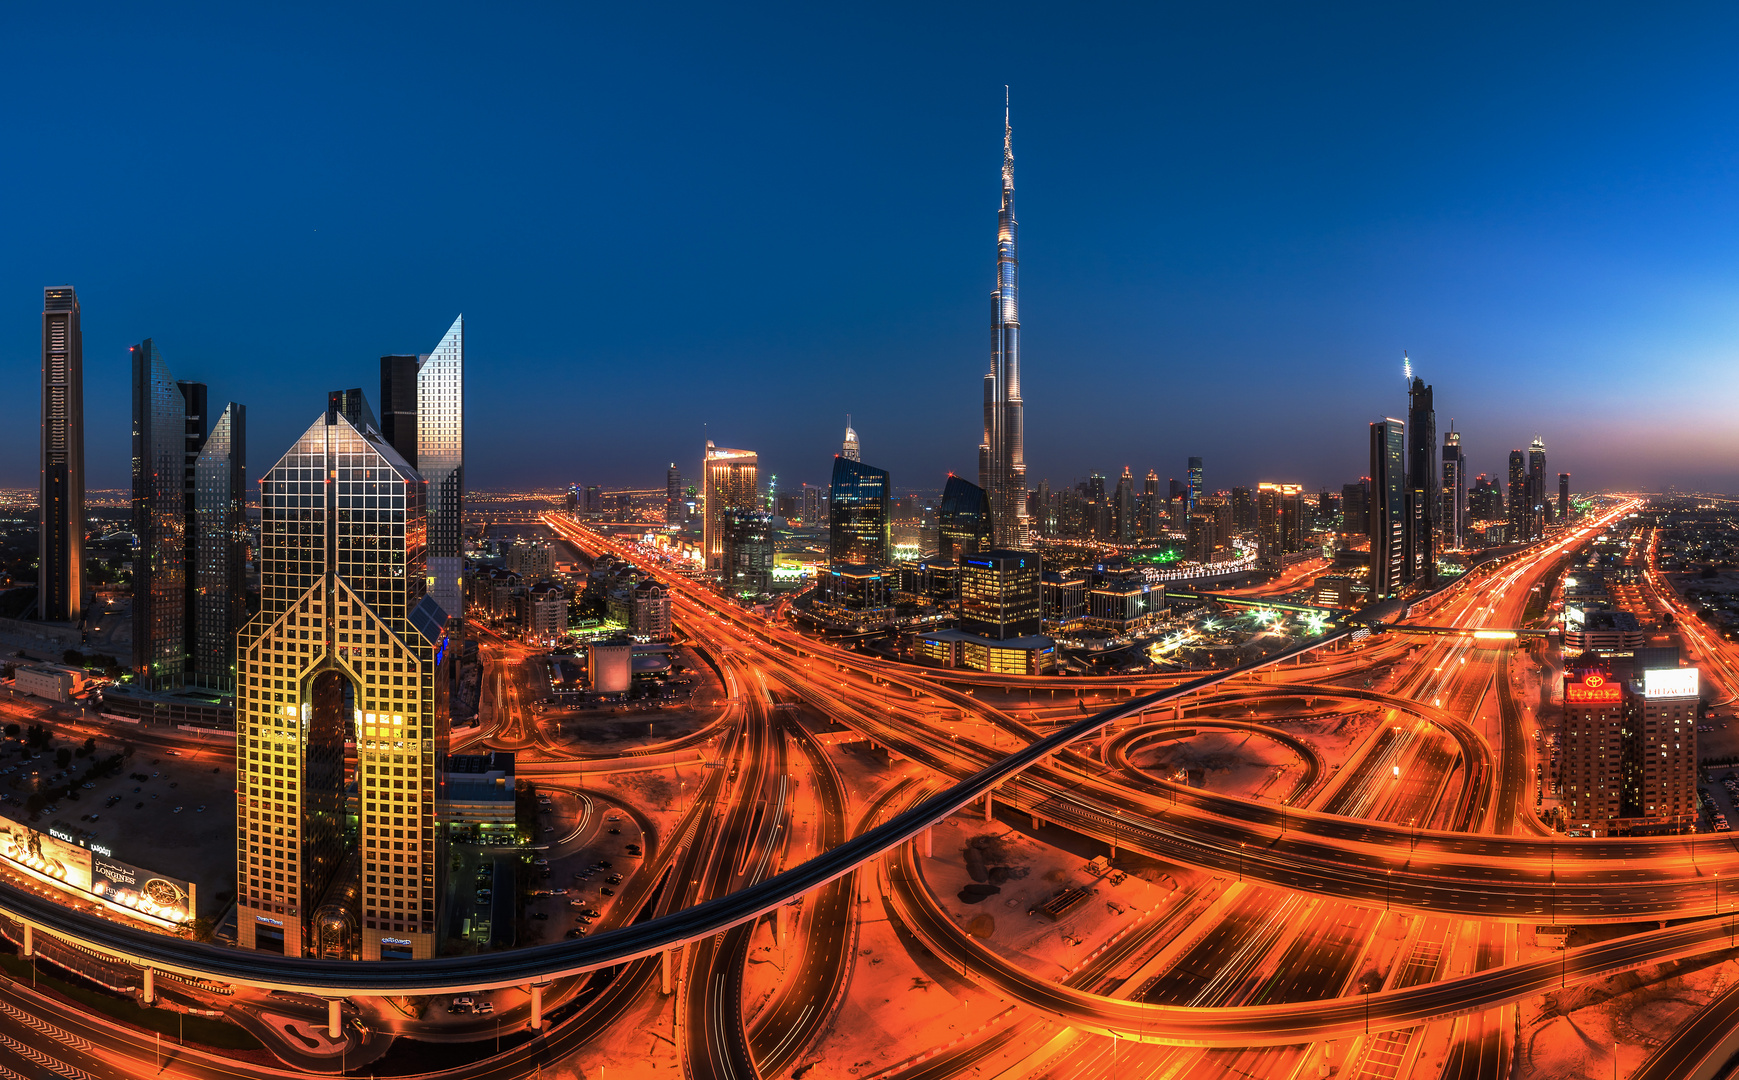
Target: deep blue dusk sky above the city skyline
pixel 1234 220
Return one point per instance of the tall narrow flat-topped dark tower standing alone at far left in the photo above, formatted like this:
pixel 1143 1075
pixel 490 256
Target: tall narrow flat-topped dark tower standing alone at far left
pixel 62 540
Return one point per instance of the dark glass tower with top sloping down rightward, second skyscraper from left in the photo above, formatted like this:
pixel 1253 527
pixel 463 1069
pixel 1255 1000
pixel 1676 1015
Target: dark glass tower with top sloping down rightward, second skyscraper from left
pixel 159 523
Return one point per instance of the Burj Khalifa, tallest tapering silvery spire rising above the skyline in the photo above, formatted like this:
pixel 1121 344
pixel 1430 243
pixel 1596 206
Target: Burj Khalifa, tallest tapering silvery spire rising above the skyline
pixel 1003 453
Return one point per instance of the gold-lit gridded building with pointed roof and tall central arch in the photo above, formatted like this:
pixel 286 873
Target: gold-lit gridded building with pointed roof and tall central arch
pixel 349 644
